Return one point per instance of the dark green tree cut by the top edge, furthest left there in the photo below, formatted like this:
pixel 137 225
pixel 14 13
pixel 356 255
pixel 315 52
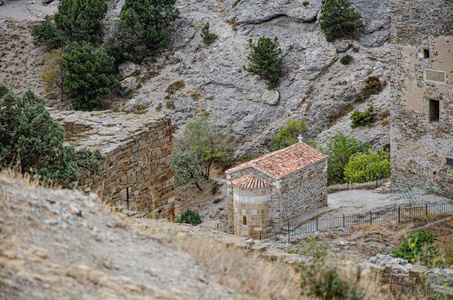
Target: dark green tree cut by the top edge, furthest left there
pixel 81 20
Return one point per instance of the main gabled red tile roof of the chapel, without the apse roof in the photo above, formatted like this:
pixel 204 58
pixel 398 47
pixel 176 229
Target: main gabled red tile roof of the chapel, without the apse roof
pixel 285 161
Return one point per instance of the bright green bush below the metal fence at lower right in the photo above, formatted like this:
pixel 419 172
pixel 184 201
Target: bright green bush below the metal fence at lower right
pixel 418 247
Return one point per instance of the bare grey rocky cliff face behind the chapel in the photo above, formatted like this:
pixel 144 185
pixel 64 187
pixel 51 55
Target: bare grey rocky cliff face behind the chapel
pixel 315 87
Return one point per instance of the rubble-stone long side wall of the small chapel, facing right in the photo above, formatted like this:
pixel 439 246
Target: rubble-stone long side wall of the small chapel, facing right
pixel 303 191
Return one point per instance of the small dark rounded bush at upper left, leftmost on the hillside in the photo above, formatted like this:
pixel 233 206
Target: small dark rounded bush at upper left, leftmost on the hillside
pixel 48 34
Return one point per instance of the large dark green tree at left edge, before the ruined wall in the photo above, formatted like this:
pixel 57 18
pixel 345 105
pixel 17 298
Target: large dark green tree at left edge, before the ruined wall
pixel 32 142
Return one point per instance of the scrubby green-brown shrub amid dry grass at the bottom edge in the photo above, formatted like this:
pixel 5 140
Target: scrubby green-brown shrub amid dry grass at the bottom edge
pixel 320 277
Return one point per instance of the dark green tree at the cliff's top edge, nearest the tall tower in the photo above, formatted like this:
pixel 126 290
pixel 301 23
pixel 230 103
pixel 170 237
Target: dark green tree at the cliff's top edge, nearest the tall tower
pixel 338 19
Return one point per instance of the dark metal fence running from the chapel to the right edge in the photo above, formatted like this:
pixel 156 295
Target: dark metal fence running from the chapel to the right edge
pixel 399 214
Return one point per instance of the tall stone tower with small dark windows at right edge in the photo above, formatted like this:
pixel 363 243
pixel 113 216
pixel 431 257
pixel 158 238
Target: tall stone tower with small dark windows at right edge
pixel 422 97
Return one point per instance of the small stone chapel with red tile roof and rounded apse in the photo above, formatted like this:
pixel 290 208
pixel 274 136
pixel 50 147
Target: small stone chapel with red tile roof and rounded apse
pixel 275 188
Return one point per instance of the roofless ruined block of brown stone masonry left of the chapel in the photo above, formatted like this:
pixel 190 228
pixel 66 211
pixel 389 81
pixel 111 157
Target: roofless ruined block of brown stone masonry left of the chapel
pixel 136 169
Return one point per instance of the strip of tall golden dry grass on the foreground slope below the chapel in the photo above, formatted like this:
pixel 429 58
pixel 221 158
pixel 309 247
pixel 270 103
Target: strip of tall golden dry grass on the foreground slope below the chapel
pixel 246 274
